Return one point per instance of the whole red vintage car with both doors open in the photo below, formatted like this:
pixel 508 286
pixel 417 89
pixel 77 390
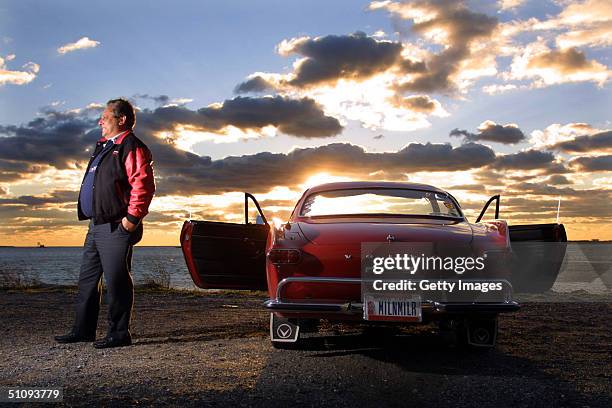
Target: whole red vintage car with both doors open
pixel 313 266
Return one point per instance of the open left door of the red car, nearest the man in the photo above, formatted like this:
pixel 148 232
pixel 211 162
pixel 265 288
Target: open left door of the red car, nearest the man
pixel 221 255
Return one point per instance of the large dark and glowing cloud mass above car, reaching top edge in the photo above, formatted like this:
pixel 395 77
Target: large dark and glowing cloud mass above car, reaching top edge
pixel 388 84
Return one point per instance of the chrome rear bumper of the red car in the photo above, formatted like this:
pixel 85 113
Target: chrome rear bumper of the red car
pixel 428 306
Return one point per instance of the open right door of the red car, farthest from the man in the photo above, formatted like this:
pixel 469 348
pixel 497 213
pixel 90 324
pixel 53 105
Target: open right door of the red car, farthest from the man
pixel 538 251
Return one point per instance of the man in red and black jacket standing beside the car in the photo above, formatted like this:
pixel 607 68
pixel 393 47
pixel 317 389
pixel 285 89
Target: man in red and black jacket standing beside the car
pixel 115 195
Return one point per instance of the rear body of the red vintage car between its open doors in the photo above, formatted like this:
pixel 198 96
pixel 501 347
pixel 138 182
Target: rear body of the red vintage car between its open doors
pixel 315 266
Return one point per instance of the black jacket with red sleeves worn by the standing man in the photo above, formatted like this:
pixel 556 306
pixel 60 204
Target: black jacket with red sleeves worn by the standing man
pixel 123 184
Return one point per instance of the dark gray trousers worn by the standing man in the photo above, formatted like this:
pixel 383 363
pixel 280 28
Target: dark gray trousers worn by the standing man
pixel 107 250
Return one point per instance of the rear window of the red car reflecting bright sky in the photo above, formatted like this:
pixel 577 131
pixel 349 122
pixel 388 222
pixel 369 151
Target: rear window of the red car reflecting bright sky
pixel 382 201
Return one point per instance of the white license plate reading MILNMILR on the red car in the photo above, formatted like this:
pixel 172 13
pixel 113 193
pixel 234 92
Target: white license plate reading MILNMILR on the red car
pixel 392 309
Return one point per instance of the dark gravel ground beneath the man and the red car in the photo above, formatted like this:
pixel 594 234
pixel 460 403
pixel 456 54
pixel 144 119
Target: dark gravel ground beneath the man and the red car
pixel 196 349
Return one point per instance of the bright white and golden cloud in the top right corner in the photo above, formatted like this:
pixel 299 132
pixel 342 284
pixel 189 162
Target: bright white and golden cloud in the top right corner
pixel 584 24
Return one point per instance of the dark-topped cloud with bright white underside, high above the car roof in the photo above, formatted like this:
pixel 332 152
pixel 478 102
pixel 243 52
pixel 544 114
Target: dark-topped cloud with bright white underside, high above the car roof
pixel 354 83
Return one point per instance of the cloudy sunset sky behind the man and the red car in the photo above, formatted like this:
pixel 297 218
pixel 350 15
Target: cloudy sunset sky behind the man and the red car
pixel 506 97
